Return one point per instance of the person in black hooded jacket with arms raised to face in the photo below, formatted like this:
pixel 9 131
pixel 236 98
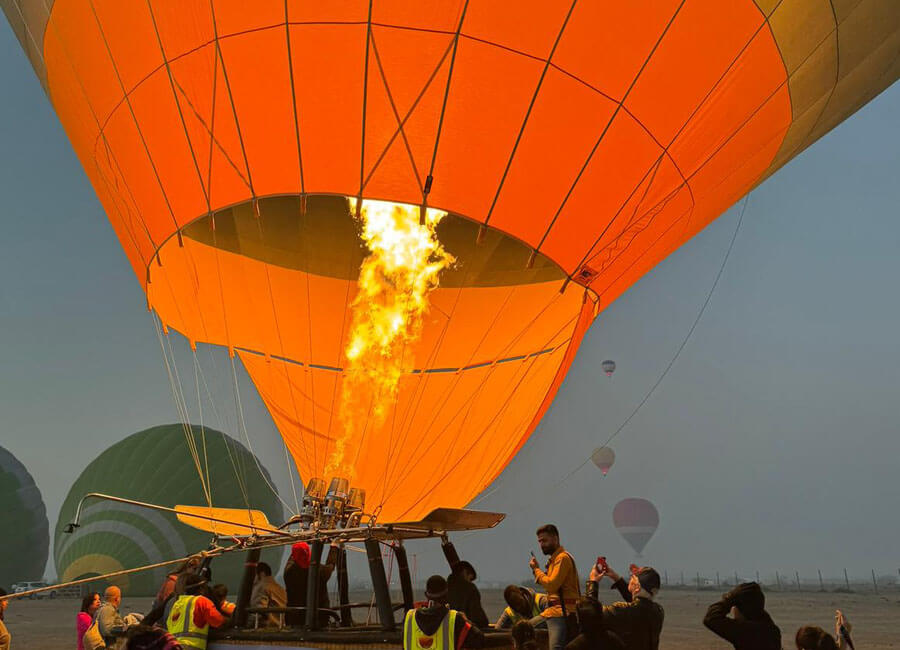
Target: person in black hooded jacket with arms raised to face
pixel 750 626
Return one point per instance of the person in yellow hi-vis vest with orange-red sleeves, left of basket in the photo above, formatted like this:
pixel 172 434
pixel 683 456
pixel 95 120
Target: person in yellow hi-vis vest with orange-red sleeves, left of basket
pixel 189 615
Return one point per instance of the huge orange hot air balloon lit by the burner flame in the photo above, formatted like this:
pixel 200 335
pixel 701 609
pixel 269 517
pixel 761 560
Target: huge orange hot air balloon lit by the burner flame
pixel 573 145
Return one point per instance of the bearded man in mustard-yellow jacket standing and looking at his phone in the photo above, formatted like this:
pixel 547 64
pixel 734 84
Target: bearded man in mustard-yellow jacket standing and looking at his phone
pixel 561 583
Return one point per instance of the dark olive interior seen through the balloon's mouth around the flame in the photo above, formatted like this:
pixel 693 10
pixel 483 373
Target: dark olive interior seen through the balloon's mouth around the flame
pixel 319 234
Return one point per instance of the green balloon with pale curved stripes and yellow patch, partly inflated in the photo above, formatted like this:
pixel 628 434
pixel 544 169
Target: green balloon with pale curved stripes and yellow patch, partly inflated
pixel 157 466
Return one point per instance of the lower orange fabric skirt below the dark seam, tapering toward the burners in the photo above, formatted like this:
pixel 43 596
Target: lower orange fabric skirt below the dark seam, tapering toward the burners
pixel 447 436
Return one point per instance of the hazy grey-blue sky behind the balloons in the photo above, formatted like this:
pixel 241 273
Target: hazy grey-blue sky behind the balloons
pixel 773 443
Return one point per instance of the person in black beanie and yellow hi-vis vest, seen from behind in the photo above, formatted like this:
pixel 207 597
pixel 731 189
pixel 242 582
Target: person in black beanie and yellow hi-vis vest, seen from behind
pixel 436 626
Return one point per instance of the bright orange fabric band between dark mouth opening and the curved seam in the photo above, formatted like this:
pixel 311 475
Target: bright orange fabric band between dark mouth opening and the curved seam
pixel 233 300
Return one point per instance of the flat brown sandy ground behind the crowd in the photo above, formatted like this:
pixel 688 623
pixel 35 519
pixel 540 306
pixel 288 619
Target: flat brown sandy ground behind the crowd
pixel 50 624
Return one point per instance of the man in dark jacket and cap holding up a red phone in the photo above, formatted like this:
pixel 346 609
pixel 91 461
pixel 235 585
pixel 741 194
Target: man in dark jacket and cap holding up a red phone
pixel 638 618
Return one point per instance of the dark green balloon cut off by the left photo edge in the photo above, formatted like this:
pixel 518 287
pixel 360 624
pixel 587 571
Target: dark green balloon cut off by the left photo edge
pixel 23 518
